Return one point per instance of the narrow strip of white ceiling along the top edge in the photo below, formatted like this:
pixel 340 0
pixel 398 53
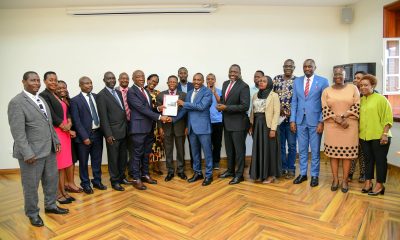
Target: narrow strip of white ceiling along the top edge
pixel 7 4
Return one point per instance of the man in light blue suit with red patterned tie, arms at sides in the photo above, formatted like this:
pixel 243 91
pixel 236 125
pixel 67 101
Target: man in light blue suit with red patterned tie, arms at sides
pixel 306 119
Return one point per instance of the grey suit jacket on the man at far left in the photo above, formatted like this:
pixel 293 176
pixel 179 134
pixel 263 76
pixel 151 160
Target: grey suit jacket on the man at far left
pixel 33 134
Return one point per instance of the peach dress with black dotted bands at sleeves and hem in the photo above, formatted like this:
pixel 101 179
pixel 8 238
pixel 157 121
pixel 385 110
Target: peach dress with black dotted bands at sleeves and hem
pixel 339 142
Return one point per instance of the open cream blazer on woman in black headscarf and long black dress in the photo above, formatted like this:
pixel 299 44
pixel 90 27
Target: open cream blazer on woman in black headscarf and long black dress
pixel 272 110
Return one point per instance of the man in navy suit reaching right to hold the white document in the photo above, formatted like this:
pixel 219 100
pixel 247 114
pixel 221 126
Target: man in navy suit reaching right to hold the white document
pixel 140 129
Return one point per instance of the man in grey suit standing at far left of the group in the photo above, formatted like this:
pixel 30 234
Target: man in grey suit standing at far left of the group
pixel 35 145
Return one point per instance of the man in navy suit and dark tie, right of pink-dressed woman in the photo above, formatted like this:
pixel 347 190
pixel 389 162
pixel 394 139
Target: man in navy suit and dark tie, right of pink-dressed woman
pixel 89 138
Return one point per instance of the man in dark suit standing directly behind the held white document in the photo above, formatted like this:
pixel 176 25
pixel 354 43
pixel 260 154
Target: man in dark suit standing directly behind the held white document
pixel 173 131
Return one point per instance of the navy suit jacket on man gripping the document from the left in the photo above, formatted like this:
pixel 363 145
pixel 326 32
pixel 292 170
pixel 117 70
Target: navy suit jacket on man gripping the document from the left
pixel 142 113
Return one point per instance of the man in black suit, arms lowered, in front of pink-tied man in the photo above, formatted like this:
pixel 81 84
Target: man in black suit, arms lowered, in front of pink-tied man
pixel 113 124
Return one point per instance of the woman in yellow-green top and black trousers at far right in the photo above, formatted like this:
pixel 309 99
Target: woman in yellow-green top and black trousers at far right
pixel 376 118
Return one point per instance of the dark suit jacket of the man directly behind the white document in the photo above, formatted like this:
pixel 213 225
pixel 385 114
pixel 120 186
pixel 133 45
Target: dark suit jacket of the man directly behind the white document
pixel 178 128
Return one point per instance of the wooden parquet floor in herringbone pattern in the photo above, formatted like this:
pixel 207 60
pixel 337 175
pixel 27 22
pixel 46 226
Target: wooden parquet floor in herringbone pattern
pixel 179 210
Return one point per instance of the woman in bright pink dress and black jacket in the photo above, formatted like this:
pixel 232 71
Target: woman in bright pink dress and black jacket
pixel 62 125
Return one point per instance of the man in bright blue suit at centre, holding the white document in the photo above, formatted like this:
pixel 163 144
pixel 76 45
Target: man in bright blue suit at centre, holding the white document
pixel 197 105
